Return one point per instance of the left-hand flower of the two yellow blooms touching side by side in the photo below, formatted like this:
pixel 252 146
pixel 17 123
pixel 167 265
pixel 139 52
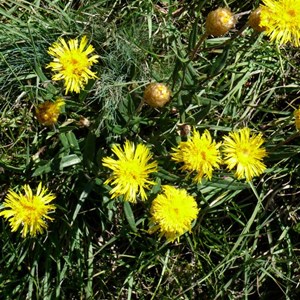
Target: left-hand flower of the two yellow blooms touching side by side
pixel 200 154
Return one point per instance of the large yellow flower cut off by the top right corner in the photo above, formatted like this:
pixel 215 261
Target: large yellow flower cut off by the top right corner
pixel 282 20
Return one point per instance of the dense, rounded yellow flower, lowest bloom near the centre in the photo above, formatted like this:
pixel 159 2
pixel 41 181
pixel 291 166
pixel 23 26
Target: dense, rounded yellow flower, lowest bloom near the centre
pixel 173 213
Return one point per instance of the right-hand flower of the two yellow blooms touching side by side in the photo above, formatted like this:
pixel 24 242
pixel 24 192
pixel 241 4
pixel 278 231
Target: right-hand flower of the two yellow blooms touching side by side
pixel 243 151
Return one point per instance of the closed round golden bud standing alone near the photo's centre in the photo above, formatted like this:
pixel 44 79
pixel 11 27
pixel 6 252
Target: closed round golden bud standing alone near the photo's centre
pixel 157 94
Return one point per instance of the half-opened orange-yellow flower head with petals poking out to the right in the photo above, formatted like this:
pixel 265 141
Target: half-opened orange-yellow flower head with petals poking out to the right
pixel 47 113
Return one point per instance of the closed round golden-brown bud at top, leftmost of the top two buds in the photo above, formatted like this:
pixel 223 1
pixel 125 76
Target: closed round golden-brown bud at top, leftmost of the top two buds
pixel 219 22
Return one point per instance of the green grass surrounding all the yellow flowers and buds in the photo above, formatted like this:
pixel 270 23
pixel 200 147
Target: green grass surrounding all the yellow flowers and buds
pixel 245 242
